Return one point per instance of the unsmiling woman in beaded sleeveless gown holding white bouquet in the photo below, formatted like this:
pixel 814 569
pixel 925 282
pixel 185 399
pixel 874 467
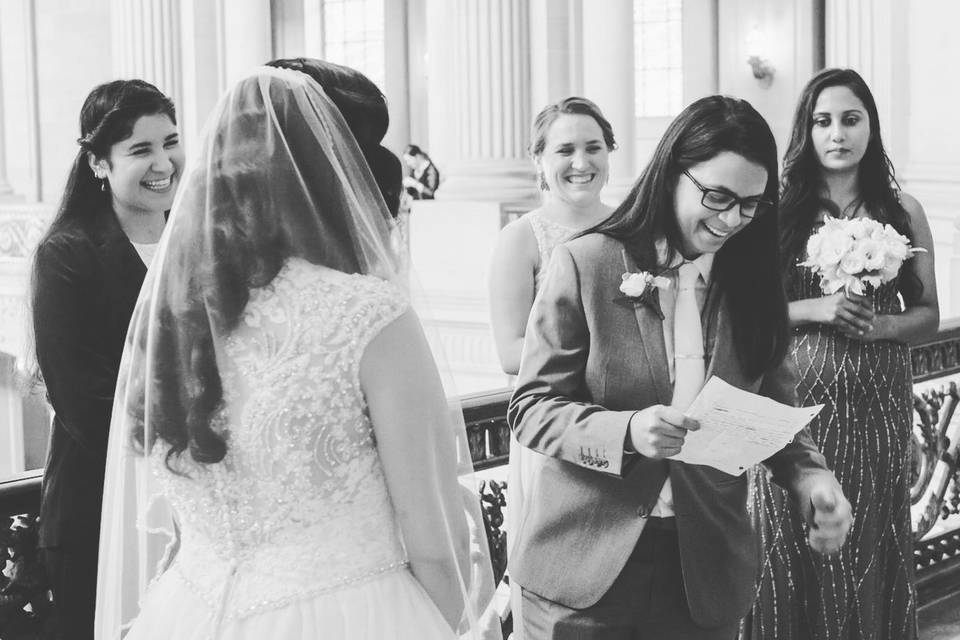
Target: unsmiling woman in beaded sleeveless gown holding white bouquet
pixel 853 356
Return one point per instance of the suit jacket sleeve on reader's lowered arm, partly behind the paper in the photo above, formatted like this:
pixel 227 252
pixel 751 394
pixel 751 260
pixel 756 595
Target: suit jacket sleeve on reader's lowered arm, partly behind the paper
pixel 794 466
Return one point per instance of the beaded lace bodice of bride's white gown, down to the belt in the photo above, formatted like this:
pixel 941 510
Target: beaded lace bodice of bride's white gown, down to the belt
pixel 299 505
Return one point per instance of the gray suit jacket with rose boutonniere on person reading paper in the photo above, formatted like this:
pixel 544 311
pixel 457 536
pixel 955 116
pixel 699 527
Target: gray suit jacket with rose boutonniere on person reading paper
pixel 590 360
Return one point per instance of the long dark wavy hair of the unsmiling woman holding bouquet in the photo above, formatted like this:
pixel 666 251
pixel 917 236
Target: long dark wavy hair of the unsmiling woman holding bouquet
pixel 803 188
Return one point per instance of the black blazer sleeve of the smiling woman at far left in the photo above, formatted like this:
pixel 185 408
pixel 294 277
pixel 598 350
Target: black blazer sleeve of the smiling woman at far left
pixel 79 377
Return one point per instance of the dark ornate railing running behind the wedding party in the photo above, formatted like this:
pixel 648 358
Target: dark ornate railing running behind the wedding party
pixel 24 603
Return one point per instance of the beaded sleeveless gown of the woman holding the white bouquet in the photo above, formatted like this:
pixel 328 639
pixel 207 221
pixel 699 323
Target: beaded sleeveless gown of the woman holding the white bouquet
pixel 867 591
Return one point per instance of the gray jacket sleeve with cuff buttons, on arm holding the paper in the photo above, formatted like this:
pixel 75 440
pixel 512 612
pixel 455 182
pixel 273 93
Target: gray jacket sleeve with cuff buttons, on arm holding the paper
pixel 552 409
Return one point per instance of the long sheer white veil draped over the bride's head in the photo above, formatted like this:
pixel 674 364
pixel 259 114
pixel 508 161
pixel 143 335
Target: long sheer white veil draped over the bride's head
pixel 276 174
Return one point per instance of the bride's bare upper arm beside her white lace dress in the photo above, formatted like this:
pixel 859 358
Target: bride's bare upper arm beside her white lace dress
pixel 416 444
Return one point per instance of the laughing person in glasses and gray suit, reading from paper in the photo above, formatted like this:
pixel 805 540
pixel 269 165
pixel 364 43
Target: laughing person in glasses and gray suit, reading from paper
pixel 618 540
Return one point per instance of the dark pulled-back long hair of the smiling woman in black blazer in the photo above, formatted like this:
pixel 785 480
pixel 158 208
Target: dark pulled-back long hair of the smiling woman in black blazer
pixel 107 117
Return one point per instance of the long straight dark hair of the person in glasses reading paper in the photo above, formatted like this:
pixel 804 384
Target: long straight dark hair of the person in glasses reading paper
pixel 746 265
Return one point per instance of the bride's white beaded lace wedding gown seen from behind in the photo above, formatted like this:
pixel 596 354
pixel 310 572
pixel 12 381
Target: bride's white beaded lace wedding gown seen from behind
pixel 293 535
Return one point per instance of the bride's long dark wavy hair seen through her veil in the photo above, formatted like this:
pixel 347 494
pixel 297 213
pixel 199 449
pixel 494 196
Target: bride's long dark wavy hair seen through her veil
pixel 241 244
